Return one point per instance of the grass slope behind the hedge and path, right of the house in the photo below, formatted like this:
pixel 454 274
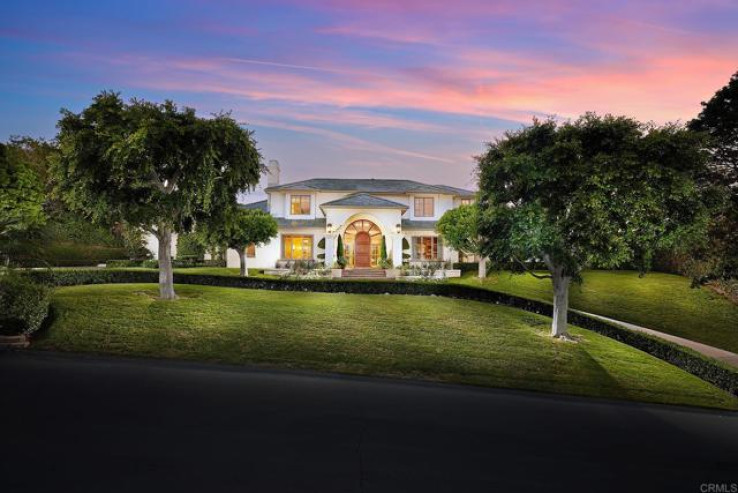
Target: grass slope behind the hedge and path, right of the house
pixel 662 302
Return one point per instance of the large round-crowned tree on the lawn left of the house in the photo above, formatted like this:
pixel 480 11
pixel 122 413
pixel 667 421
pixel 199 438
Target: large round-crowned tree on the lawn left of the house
pixel 153 166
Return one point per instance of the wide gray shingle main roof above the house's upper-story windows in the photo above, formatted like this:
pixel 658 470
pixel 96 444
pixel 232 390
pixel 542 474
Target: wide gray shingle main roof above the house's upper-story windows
pixel 368 186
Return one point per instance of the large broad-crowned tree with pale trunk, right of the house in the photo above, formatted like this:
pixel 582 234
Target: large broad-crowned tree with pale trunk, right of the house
pixel 597 192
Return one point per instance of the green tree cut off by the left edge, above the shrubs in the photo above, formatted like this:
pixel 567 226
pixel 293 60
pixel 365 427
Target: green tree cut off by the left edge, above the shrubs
pixel 22 198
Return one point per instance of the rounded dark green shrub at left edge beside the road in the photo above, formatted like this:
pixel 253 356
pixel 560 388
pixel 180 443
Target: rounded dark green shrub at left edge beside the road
pixel 24 304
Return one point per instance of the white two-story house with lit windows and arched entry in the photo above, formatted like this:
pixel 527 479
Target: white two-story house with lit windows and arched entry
pixel 313 214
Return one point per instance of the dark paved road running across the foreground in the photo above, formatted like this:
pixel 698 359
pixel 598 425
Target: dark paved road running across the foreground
pixel 73 423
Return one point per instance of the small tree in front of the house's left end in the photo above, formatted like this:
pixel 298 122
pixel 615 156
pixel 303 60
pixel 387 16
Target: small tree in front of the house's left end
pixel 240 228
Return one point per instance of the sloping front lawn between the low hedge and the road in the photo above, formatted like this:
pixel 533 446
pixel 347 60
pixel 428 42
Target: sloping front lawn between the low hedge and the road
pixel 407 336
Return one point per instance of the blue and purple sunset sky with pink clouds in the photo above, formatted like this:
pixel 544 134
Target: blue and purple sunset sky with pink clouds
pixel 369 88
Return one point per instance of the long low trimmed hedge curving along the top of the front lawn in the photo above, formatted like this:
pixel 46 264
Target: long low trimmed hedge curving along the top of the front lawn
pixel 708 370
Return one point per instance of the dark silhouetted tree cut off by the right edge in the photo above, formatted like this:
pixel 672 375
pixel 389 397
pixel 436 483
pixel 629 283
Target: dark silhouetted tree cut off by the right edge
pixel 719 120
